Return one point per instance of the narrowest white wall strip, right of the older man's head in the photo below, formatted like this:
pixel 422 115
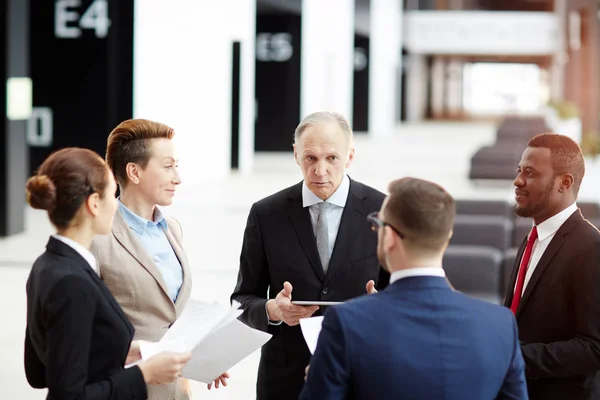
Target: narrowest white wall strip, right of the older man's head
pixel 385 55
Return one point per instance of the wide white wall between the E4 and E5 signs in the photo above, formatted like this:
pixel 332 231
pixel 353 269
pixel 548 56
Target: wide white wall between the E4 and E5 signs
pixel 182 77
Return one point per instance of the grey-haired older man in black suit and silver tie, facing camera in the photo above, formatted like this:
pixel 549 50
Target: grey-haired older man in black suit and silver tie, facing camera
pixel 308 242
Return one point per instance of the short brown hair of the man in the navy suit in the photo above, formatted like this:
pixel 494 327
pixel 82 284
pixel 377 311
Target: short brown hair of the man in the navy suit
pixel 423 211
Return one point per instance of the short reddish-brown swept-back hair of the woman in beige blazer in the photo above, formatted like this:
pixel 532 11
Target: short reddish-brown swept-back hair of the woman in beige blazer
pixel 129 142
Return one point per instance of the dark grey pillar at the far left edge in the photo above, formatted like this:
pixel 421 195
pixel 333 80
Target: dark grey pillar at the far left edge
pixel 14 160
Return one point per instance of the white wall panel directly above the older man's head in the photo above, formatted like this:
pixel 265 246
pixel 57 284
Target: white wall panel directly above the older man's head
pixel 327 64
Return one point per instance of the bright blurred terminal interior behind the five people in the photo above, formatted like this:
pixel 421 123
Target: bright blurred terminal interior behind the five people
pixel 445 90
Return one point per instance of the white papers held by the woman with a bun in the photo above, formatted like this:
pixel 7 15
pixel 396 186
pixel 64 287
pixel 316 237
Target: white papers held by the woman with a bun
pixel 214 336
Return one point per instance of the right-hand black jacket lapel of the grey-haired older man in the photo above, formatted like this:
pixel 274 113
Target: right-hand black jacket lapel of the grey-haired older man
pixel 353 218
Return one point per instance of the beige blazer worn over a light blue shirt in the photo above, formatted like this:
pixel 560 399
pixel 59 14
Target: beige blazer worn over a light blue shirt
pixel 138 286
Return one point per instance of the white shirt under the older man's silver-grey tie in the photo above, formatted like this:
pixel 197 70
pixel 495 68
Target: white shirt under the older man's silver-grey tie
pixel 333 213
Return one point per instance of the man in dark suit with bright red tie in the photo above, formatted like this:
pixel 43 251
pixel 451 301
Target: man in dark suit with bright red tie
pixel 554 289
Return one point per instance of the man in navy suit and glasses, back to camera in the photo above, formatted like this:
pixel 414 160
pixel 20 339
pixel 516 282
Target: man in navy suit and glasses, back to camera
pixel 418 339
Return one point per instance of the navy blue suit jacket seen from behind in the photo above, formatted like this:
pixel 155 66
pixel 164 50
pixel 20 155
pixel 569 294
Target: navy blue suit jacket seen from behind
pixel 418 339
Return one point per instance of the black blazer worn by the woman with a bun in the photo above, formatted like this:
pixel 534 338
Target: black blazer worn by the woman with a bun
pixel 77 337
